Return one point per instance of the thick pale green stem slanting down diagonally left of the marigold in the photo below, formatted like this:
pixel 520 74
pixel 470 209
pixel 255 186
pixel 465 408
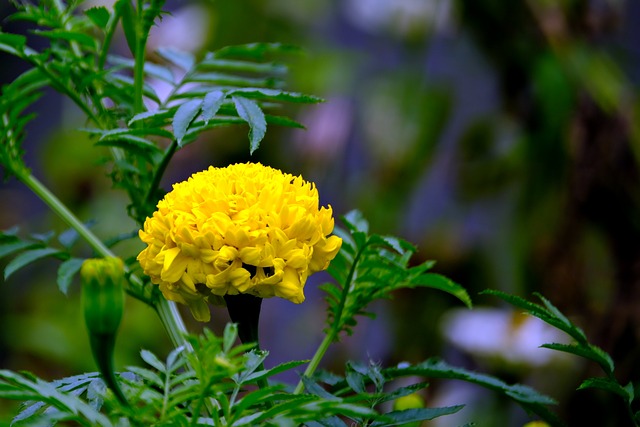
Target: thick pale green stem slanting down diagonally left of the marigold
pixel 167 311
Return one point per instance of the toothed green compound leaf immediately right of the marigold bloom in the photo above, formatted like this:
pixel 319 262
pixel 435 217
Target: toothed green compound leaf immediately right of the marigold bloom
pixel 370 267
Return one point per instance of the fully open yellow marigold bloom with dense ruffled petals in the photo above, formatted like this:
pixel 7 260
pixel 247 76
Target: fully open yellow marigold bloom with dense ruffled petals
pixel 246 228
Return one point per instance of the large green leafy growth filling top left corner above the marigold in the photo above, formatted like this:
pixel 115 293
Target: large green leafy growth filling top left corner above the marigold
pixel 231 86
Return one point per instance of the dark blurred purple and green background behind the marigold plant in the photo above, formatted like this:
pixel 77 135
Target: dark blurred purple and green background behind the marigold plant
pixel 500 137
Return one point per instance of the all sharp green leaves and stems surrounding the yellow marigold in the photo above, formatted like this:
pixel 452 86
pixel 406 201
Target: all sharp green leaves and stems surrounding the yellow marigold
pixel 208 380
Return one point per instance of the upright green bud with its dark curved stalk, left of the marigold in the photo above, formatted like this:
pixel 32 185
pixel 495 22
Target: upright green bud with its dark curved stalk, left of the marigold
pixel 103 304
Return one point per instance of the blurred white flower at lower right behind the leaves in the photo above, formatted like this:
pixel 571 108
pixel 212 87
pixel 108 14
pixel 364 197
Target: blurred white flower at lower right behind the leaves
pixel 504 335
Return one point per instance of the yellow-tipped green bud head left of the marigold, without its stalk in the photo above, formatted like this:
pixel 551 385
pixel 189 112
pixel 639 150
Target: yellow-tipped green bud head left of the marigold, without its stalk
pixel 103 294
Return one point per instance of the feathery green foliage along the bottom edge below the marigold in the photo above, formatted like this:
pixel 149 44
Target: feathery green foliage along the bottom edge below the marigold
pixel 214 385
